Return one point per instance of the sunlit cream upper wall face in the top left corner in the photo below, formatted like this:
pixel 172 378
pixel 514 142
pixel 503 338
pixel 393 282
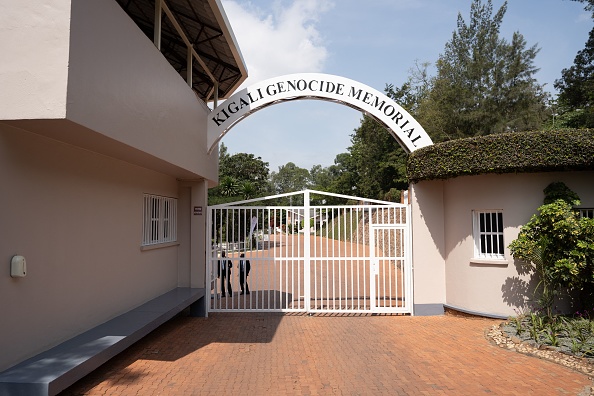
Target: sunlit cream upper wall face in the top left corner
pixel 34 66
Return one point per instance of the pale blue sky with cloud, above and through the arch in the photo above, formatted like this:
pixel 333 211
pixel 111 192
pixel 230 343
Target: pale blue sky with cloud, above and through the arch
pixel 375 42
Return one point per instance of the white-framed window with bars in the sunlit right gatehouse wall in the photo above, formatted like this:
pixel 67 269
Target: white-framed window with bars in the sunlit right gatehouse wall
pixel 489 242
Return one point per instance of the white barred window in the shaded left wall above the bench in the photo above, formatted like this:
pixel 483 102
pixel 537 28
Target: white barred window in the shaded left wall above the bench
pixel 159 223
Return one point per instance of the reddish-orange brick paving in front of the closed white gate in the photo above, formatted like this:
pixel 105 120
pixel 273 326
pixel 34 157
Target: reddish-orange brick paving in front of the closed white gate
pixel 274 354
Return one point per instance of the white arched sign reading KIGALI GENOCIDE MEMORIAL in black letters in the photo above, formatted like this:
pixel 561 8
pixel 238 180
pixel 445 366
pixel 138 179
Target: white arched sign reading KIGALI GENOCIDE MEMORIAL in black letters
pixel 405 129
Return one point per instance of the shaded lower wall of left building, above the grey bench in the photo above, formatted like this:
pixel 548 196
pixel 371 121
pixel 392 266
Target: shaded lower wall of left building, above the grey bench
pixel 76 217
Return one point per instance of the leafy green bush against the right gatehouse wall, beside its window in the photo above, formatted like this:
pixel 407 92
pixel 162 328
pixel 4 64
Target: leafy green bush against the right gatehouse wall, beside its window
pixel 558 247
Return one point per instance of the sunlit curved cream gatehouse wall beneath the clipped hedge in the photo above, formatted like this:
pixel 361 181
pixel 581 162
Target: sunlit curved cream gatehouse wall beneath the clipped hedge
pixel 491 288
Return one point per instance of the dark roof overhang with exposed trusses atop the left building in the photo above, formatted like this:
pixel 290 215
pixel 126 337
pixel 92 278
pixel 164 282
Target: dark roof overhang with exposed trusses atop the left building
pixel 219 67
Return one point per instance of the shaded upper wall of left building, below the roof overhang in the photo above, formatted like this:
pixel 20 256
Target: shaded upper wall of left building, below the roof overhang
pixel 122 87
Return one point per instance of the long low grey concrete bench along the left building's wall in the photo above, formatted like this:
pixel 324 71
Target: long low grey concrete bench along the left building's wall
pixel 54 370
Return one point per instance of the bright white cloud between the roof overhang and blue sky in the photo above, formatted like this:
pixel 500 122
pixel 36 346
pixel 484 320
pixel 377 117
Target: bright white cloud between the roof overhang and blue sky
pixel 281 40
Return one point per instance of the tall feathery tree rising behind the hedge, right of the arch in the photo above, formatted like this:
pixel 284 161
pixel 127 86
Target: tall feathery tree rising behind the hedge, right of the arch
pixel 483 85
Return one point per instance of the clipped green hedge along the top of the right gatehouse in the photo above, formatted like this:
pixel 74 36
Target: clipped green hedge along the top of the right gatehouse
pixel 518 152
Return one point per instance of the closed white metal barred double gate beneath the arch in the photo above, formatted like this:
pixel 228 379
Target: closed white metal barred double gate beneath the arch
pixel 311 258
